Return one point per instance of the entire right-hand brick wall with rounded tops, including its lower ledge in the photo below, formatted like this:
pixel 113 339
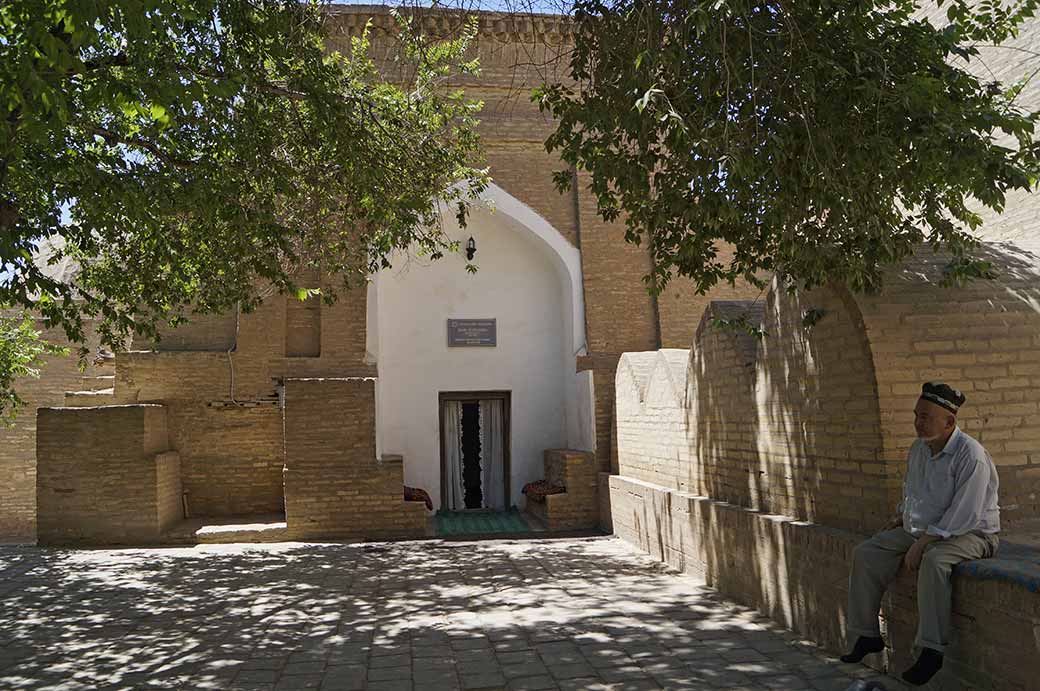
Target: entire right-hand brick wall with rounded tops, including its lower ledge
pixel 729 450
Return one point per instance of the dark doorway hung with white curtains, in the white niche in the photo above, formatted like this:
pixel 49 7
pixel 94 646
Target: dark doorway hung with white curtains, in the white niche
pixel 475 451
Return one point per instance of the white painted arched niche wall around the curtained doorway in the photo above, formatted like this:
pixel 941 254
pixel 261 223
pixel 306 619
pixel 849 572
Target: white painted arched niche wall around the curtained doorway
pixel 524 284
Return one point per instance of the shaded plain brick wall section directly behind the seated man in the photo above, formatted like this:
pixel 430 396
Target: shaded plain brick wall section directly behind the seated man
pixel 984 340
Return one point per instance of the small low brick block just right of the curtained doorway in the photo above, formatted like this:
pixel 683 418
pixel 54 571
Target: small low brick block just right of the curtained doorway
pixel 579 507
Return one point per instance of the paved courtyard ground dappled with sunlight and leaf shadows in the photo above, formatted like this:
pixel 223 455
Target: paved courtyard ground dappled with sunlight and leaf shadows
pixel 553 615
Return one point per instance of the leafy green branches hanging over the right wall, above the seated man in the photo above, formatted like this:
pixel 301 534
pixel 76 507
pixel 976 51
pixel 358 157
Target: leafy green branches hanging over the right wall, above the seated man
pixel 822 140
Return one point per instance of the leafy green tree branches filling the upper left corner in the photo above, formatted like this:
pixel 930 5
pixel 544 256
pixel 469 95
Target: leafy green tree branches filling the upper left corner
pixel 192 151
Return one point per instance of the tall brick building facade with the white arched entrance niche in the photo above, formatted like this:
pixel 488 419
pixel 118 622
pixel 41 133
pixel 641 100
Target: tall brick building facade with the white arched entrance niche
pixel 224 383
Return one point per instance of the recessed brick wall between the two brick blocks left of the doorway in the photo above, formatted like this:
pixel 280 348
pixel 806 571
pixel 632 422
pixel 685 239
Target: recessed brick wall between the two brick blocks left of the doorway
pixel 231 451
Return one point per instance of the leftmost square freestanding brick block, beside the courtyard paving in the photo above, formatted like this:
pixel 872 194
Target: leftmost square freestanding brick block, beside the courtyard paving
pixel 106 476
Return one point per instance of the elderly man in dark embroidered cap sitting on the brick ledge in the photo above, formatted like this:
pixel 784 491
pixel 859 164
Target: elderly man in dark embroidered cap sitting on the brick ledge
pixel 949 515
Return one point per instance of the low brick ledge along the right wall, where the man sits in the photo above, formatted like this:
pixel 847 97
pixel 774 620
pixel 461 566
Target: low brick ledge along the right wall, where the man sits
pixel 797 574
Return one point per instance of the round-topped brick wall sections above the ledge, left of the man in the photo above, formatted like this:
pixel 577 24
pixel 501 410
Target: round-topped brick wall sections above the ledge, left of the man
pixel 786 424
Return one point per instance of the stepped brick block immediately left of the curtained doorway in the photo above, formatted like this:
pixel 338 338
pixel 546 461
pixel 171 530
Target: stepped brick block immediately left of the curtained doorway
pixel 335 487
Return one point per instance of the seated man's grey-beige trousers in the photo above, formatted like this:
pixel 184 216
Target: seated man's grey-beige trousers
pixel 876 564
